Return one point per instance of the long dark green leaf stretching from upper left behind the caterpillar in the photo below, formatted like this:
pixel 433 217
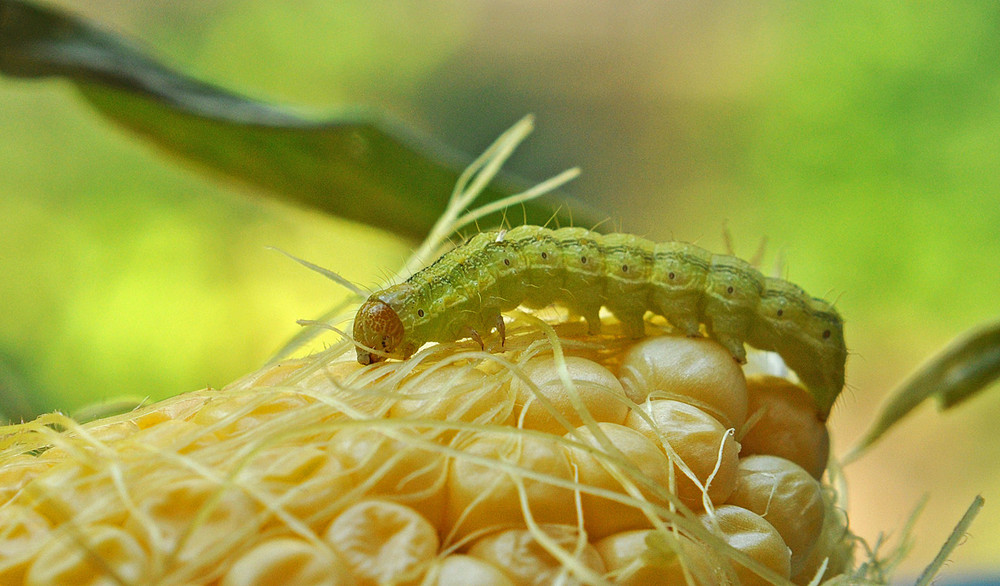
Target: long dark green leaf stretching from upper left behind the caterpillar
pixel 357 165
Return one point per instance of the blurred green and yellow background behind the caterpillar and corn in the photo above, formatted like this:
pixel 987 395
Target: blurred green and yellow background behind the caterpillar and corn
pixel 862 140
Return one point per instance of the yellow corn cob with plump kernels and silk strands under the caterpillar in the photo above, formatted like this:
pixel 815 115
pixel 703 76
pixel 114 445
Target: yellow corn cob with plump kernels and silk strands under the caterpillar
pixel 565 458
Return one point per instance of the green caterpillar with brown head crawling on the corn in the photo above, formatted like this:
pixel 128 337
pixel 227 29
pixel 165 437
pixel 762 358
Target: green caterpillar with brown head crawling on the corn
pixel 464 292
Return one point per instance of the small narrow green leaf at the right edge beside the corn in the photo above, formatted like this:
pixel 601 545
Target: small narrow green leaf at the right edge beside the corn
pixel 967 366
